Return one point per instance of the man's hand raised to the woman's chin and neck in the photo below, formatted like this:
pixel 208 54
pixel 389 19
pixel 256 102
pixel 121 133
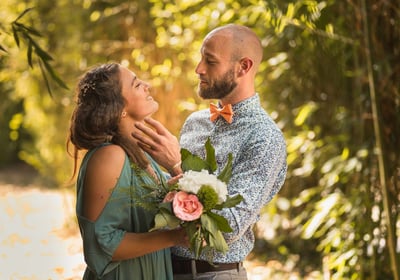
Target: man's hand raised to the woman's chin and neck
pixel 160 144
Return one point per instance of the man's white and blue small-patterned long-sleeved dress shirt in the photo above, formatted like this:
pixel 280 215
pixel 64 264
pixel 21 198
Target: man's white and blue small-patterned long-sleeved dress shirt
pixel 258 167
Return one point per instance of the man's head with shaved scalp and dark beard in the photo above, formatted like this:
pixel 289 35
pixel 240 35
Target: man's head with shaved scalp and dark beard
pixel 231 55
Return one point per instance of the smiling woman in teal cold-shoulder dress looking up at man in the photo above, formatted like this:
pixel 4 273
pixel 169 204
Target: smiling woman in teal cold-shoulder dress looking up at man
pixel 115 231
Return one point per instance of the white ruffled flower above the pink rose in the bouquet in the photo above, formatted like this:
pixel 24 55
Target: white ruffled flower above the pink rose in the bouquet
pixel 192 181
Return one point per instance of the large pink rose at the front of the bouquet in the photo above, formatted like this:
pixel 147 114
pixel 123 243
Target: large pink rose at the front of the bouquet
pixel 187 207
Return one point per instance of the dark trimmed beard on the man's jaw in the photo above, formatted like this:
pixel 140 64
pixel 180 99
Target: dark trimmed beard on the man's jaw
pixel 219 88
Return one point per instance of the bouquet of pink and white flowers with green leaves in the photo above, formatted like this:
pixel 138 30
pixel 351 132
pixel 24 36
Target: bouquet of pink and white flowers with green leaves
pixel 190 203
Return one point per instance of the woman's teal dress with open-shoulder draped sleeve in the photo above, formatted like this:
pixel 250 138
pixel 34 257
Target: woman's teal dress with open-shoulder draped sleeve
pixel 120 215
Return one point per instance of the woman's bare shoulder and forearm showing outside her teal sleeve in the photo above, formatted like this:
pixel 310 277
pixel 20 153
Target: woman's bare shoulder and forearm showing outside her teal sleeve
pixel 103 171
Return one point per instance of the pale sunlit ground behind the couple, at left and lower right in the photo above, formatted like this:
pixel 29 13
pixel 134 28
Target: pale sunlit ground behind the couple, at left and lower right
pixel 39 237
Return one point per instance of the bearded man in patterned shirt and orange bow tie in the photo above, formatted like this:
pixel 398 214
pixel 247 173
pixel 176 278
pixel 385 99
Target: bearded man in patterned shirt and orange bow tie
pixel 230 56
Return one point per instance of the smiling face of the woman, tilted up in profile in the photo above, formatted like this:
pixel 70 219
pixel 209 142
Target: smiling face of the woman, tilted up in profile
pixel 138 101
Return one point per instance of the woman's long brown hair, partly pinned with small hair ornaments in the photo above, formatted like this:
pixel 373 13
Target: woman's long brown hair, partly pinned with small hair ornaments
pixel 98 110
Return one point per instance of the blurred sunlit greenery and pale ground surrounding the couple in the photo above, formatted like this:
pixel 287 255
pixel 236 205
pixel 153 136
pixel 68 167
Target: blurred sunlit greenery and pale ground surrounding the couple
pixel 330 78
